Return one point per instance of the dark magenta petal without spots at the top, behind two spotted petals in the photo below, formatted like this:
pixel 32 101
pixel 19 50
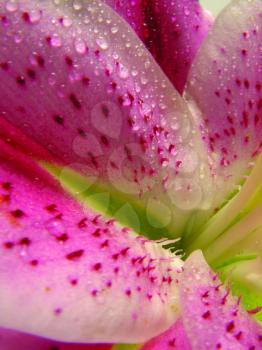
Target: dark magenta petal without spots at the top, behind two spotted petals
pixel 172 30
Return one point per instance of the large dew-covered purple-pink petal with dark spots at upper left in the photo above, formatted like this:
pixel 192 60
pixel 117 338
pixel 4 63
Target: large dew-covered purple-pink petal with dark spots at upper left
pixel 69 82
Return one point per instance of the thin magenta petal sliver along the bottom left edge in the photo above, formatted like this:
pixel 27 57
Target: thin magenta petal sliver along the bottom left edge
pixel 12 340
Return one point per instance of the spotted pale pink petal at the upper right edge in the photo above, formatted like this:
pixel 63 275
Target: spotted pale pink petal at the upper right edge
pixel 225 84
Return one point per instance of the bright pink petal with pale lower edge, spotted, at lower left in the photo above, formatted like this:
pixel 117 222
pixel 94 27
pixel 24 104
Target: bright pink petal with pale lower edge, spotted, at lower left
pixel 68 274
